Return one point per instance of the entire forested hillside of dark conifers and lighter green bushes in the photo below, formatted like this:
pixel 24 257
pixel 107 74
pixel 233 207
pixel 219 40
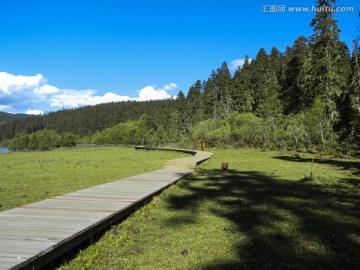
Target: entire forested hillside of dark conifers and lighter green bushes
pixel 307 97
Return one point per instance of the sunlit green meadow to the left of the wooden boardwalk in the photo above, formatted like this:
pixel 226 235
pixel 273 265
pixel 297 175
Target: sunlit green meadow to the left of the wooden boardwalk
pixel 27 177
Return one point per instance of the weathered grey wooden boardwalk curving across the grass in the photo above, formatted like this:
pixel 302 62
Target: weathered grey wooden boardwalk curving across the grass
pixel 36 234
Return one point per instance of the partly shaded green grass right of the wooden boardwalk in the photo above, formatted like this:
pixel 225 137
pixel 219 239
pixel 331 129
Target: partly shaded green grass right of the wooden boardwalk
pixel 257 215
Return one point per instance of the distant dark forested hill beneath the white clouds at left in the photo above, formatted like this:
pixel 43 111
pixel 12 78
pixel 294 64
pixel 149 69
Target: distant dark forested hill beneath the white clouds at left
pixel 85 120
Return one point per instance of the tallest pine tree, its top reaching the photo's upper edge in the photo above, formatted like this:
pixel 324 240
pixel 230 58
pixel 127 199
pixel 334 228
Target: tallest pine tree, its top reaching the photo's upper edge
pixel 327 74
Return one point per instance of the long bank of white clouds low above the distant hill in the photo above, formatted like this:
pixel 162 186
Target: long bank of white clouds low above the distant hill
pixel 24 93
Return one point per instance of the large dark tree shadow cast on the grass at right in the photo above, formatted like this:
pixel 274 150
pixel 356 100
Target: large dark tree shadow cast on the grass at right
pixel 287 225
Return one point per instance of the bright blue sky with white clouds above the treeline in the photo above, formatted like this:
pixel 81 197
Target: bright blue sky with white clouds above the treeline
pixel 68 53
